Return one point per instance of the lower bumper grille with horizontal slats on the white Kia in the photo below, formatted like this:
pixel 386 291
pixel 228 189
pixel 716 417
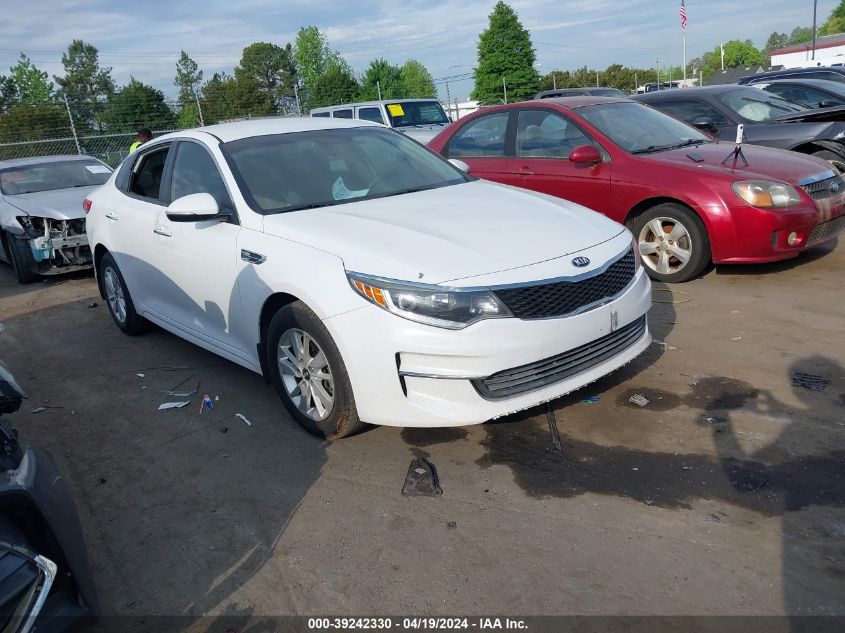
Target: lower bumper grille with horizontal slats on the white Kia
pixel 520 380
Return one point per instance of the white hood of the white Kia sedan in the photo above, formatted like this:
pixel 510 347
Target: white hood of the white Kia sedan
pixel 447 234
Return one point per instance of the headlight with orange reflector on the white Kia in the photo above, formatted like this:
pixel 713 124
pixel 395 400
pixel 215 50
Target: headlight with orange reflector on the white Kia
pixel 447 308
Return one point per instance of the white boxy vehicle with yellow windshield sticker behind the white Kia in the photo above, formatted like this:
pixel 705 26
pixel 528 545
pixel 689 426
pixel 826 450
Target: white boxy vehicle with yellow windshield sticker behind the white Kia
pixel 421 119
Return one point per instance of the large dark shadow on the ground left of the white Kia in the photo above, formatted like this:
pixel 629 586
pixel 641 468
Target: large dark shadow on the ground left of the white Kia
pixel 201 499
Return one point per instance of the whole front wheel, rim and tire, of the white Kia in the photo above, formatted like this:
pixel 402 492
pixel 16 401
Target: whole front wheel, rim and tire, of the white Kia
pixel 309 374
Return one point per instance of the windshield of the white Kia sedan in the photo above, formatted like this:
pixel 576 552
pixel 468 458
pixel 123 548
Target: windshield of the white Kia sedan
pixel 306 170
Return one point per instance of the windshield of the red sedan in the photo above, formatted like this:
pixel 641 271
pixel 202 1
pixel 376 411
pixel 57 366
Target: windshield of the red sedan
pixel 639 129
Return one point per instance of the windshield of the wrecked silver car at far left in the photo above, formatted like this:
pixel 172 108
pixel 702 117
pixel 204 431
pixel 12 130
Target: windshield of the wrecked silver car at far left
pixel 49 176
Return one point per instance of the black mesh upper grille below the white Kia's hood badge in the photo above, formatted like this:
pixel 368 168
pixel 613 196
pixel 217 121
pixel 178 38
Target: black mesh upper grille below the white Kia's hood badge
pixel 556 299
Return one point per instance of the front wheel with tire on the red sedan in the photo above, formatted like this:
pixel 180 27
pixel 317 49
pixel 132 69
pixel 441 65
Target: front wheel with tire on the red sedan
pixel 663 265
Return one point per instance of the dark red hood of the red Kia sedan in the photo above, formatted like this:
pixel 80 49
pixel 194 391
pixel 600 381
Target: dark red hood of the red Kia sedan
pixel 764 163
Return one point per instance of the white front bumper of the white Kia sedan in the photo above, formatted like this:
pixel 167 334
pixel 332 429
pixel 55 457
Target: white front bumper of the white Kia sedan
pixel 409 374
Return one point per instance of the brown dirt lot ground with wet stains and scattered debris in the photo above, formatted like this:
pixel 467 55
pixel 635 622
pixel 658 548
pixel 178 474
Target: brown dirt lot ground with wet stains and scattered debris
pixel 724 495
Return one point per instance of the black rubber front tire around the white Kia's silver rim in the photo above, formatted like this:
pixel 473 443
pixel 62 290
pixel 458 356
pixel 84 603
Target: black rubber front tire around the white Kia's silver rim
pixel 341 418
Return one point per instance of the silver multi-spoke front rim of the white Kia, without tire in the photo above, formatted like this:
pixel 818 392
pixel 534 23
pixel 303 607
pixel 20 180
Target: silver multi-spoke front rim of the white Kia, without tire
pixel 306 375
